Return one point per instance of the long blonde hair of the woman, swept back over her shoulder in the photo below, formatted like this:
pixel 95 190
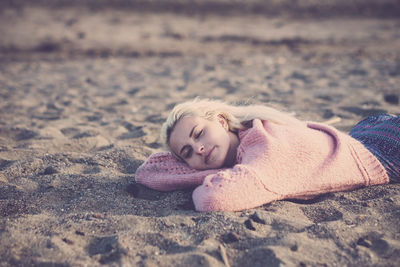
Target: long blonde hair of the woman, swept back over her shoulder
pixel 237 117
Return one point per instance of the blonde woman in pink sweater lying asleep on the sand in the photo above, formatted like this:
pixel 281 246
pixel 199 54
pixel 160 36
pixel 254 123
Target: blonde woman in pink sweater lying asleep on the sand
pixel 241 157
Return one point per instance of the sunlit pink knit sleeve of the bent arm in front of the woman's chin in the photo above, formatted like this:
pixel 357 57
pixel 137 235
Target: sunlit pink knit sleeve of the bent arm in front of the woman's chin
pixel 241 187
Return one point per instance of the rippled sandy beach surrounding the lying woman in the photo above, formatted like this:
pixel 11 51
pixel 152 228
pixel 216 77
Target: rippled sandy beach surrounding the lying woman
pixel 85 86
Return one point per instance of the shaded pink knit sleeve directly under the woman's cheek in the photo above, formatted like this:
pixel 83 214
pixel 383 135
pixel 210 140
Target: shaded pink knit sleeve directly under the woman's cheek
pixel 163 172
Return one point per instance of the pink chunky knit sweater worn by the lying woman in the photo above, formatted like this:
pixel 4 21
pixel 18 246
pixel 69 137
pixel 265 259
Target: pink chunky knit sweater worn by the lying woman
pixel 274 162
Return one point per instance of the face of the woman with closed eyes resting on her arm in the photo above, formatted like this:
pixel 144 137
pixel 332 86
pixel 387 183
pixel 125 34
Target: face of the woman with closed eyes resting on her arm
pixel 201 143
